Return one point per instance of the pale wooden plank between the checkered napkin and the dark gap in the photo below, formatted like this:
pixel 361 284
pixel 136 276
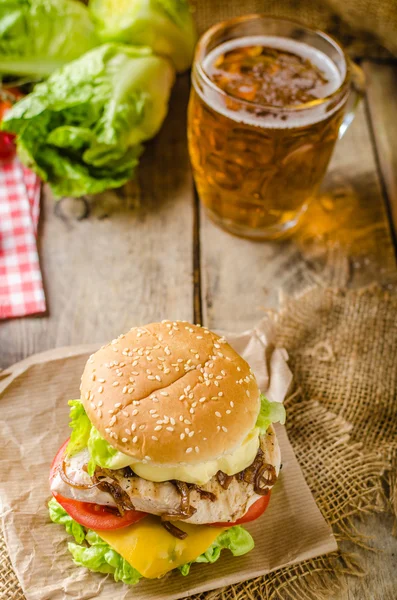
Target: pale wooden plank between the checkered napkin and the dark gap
pixel 103 275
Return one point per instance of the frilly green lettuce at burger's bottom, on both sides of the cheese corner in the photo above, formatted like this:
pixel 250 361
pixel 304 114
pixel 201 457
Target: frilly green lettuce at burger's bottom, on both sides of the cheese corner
pixel 92 552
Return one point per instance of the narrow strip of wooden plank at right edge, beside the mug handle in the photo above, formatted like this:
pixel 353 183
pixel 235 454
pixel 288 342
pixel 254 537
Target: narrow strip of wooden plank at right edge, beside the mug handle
pixel 382 104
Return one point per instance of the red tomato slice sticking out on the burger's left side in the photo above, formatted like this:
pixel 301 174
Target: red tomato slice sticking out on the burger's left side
pixel 88 514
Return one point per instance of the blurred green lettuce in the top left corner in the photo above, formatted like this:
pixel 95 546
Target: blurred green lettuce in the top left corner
pixel 38 36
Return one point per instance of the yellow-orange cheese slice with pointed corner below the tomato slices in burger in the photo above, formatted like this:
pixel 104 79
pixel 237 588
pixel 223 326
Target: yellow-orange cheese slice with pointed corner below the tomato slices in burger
pixel 150 549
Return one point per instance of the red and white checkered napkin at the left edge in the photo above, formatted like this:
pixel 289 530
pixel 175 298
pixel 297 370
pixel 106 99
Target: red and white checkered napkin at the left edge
pixel 21 285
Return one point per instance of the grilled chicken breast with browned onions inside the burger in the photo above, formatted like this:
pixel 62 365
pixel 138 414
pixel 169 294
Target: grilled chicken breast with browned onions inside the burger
pixel 121 487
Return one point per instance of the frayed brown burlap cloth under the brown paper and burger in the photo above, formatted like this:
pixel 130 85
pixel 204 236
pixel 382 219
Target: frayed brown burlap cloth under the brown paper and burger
pixel 342 423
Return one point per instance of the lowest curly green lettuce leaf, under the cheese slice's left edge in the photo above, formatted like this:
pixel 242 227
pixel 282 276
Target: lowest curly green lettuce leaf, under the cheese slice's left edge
pixel 100 557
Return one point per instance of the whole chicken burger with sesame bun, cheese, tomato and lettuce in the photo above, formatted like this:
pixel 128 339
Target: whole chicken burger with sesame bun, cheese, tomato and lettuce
pixel 172 449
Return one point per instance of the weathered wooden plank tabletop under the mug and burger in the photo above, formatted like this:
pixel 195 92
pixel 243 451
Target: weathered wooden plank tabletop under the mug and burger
pixel 155 255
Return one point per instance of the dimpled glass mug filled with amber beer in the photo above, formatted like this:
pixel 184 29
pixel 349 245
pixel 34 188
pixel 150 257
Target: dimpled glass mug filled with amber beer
pixel 269 99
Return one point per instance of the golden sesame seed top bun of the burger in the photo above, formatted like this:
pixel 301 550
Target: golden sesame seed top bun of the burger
pixel 170 393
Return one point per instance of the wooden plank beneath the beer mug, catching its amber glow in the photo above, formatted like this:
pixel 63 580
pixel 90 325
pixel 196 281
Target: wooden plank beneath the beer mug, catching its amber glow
pixel 343 240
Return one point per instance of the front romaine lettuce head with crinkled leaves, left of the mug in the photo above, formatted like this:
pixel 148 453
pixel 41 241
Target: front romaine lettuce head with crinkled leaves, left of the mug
pixel 81 130
